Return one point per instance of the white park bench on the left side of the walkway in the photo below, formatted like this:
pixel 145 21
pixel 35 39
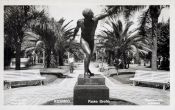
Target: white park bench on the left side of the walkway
pixel 22 76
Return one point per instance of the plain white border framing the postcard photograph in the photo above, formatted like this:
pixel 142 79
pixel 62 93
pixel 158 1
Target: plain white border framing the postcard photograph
pixel 95 2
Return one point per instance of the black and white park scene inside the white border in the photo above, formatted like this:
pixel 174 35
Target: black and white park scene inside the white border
pixel 86 55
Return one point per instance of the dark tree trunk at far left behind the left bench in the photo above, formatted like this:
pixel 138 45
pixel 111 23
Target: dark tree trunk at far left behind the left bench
pixel 18 51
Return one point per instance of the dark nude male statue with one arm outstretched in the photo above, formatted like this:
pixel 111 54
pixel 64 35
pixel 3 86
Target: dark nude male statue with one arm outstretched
pixel 88 26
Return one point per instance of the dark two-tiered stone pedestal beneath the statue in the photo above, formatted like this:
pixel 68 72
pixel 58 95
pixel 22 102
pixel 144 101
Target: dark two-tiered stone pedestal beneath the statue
pixel 91 91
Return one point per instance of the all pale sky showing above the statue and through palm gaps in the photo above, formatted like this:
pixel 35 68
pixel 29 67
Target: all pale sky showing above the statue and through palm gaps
pixel 74 12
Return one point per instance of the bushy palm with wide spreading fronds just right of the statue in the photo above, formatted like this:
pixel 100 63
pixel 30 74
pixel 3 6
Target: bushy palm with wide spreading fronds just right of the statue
pixel 124 43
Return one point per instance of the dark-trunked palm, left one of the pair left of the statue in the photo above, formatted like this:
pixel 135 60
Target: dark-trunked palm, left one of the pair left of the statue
pixel 45 29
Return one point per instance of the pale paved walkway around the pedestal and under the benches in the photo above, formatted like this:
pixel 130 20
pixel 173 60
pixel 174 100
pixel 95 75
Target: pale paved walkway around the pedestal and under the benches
pixel 36 95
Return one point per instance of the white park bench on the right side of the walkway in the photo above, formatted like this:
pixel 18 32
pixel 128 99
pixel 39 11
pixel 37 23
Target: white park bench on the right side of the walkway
pixel 157 77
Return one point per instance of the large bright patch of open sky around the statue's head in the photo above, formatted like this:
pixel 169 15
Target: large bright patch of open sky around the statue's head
pixel 72 12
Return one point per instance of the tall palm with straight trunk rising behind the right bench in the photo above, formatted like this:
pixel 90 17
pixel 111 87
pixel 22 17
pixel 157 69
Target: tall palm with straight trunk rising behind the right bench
pixel 150 17
